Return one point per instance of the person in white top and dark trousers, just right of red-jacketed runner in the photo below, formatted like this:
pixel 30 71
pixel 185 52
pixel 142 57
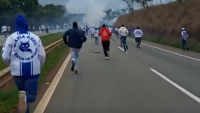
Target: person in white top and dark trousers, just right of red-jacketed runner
pixel 123 32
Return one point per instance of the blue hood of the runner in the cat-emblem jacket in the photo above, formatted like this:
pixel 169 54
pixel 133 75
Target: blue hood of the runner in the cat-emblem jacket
pixel 21 25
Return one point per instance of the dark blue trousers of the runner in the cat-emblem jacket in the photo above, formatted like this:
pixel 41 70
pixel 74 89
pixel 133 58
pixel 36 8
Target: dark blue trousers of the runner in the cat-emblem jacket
pixel 29 85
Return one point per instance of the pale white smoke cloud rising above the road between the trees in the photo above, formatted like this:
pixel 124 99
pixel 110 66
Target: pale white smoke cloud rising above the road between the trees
pixel 93 10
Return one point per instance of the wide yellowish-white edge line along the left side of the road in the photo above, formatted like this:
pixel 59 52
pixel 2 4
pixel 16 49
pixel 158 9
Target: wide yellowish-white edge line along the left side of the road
pixel 49 92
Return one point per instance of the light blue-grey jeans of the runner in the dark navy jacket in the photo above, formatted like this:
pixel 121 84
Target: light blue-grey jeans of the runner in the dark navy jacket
pixel 75 56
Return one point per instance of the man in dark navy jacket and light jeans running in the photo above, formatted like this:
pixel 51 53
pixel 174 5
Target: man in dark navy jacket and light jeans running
pixel 74 38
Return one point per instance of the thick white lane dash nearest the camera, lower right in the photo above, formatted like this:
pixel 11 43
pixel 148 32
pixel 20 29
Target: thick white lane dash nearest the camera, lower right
pixel 177 86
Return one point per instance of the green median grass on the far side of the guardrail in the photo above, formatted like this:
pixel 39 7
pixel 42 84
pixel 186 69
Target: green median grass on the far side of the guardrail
pixel 46 40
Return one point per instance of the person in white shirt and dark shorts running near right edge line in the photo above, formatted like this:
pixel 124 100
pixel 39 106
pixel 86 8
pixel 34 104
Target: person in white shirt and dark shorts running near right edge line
pixel 138 36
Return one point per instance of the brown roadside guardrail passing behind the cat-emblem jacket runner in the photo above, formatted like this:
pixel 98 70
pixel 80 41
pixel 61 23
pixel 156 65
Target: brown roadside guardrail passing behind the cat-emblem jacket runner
pixel 5 77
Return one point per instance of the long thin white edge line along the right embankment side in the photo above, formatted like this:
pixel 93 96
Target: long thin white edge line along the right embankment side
pixel 170 51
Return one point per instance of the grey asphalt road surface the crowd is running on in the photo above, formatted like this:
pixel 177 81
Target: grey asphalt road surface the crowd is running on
pixel 128 82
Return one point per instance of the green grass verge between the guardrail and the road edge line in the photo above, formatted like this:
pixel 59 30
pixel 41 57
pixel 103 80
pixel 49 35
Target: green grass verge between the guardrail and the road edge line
pixel 9 98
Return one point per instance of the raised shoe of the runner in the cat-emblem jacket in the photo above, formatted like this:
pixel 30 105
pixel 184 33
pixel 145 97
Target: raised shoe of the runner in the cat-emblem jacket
pixel 22 102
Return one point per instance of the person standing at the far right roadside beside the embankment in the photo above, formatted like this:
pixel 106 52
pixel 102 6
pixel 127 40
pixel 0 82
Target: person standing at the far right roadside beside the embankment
pixel 184 37
